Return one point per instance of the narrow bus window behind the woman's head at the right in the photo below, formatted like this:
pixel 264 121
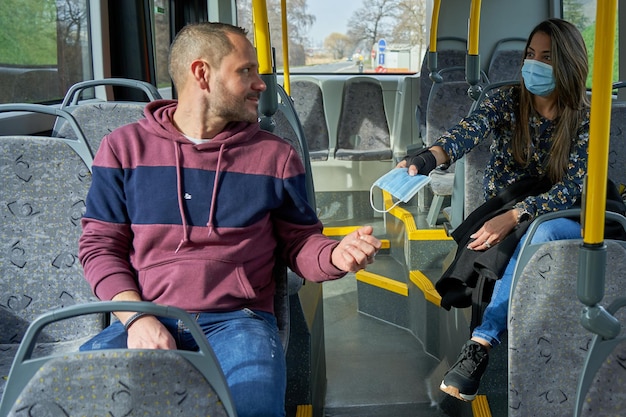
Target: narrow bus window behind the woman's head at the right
pixel 583 14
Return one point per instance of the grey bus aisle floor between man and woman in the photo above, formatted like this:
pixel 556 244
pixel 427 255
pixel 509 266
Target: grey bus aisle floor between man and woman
pixel 373 368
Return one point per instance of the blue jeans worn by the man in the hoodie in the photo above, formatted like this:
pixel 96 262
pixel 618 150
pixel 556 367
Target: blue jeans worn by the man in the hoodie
pixel 247 347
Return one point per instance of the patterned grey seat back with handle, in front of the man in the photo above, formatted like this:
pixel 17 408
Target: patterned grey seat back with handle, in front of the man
pixel 116 381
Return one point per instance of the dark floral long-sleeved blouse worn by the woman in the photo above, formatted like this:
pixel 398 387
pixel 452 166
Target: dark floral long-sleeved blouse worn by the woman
pixel 496 115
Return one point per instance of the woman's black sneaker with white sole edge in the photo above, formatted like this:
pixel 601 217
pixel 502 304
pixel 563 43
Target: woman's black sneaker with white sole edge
pixel 463 378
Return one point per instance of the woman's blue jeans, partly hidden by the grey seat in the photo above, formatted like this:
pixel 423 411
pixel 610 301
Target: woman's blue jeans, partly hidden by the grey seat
pixel 494 321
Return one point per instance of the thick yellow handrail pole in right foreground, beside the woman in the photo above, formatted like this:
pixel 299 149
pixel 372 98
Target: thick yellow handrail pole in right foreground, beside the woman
pixel 599 125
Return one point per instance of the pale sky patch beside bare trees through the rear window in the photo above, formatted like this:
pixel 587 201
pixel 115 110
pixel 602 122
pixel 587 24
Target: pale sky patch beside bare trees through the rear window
pixel 330 16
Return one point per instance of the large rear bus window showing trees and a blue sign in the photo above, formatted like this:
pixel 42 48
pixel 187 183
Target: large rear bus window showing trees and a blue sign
pixel 372 36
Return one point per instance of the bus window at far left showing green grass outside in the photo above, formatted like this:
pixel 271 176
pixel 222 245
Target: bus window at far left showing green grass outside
pixel 44 49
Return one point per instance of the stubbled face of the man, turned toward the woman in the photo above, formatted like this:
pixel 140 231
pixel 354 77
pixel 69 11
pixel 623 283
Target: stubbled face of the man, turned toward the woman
pixel 236 88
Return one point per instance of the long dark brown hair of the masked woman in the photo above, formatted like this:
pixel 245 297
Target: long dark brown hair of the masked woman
pixel 570 67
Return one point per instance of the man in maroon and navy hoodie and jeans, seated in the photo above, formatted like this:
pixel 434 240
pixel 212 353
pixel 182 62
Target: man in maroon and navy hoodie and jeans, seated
pixel 190 207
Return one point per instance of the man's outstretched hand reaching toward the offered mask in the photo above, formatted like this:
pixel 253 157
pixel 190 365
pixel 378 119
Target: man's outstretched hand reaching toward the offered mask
pixel 356 250
